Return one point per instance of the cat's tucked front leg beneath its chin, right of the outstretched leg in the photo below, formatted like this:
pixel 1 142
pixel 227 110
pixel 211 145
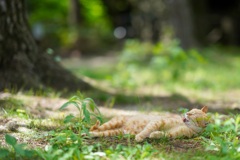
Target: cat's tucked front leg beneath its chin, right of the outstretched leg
pixel 180 131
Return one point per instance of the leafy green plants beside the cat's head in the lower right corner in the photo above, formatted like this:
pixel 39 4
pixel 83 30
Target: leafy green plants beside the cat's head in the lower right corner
pixel 224 137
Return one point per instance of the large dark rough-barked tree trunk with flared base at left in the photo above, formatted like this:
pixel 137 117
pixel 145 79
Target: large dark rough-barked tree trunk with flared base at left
pixel 21 65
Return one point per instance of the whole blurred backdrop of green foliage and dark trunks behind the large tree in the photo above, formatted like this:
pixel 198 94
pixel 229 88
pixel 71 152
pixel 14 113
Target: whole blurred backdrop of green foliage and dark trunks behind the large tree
pixel 187 43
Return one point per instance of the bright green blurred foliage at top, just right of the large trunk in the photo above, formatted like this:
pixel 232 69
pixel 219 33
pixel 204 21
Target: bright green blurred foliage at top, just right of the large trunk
pixel 53 25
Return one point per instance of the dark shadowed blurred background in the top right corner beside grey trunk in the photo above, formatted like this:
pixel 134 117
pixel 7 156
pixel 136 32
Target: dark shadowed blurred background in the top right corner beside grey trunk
pixel 216 21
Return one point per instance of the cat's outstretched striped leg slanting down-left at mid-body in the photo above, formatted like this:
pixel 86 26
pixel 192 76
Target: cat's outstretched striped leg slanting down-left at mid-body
pixel 151 127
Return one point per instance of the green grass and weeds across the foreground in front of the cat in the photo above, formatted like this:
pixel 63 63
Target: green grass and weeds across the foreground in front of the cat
pixel 219 141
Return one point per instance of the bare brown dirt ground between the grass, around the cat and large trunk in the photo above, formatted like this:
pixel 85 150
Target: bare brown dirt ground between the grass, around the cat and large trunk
pixel 36 116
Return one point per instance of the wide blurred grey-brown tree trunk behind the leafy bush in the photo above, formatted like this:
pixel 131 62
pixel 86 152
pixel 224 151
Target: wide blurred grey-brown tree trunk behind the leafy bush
pixel 148 20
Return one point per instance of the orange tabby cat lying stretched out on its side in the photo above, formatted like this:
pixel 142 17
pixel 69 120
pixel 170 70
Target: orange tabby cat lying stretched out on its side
pixel 145 126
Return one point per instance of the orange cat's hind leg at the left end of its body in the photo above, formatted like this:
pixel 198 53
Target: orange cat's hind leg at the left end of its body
pixel 114 123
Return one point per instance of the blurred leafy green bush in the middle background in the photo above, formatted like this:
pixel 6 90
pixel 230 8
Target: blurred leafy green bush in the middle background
pixel 166 60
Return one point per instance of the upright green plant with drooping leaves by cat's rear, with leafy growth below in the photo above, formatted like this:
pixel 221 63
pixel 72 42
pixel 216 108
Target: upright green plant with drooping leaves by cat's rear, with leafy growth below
pixel 66 143
